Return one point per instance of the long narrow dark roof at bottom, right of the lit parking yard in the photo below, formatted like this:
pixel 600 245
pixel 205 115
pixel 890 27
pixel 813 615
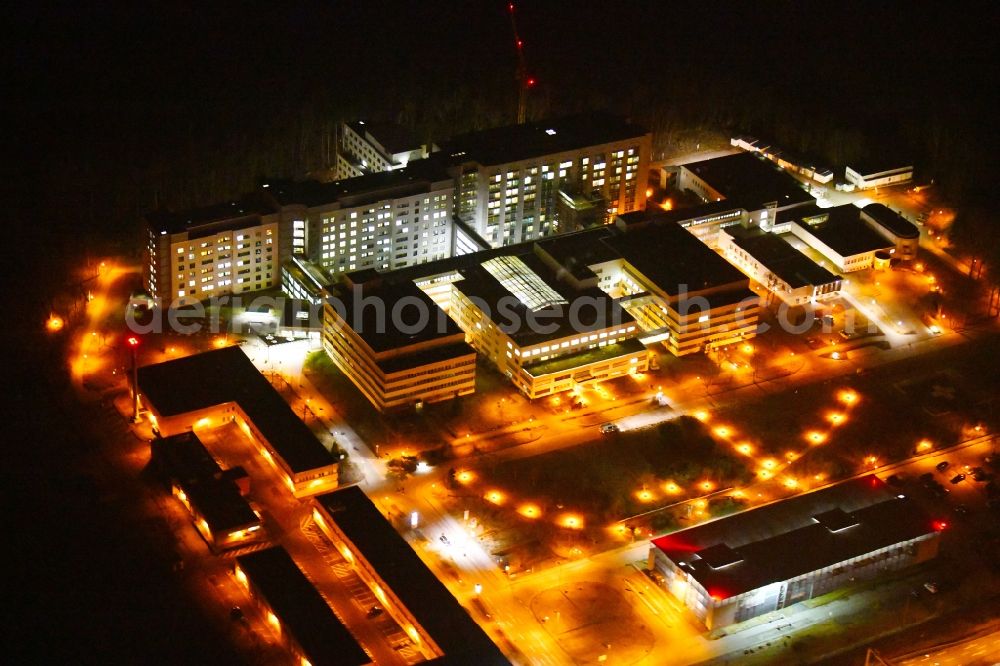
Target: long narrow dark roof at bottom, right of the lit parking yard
pixel 427 599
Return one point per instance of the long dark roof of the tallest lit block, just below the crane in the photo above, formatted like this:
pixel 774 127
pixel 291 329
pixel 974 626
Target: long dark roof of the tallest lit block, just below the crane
pixel 513 143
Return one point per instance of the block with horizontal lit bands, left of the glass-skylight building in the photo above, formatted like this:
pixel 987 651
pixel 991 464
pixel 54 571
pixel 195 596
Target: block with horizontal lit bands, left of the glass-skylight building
pixel 395 344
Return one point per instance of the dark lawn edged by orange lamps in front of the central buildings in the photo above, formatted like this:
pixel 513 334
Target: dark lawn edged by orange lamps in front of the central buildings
pixel 622 474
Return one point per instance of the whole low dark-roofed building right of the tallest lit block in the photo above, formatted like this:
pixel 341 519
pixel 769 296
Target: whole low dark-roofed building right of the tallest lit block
pixel 746 181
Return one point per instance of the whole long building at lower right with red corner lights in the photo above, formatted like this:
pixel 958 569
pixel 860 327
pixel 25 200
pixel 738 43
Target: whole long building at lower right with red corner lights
pixel 769 558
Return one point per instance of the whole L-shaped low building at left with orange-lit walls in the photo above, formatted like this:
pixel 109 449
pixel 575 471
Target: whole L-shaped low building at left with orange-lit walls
pixel 222 386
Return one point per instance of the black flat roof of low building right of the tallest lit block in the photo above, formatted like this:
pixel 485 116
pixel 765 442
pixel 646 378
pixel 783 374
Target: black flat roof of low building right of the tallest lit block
pixel 749 181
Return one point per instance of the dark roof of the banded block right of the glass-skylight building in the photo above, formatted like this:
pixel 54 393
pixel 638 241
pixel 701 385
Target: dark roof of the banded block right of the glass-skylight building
pixel 673 258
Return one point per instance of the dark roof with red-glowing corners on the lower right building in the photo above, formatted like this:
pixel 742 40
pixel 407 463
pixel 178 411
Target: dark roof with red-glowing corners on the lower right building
pixel 792 537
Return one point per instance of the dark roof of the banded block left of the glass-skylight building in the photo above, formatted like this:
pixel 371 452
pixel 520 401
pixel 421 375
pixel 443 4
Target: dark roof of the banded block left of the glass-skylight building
pixel 368 309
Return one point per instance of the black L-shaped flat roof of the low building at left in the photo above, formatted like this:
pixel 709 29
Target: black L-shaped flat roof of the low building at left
pixel 226 375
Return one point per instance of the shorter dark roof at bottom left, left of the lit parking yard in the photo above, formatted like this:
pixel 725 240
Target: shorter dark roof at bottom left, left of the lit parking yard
pixel 301 609
